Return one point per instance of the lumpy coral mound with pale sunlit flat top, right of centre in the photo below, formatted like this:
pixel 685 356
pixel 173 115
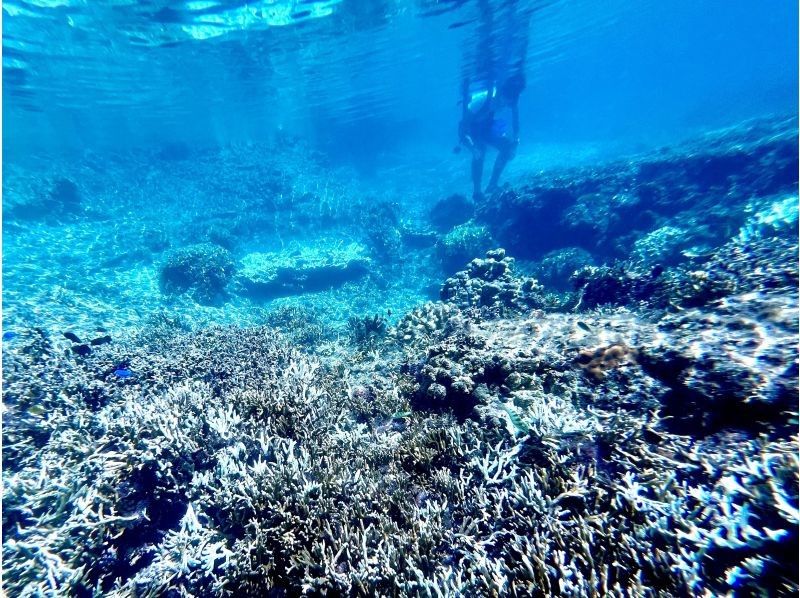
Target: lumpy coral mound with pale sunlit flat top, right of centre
pixel 470 362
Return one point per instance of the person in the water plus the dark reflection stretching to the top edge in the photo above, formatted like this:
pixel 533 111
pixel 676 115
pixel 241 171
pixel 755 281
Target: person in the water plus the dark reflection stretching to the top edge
pixel 494 78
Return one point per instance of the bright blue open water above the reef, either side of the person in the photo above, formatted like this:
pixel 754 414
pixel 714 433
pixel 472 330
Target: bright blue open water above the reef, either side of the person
pixel 366 78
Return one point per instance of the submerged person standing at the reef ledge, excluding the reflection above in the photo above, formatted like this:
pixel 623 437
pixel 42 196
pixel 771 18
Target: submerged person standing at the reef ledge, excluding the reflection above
pixel 491 117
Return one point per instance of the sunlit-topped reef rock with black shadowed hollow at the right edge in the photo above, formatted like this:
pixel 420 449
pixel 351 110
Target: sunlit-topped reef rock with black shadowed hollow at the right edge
pixel 734 365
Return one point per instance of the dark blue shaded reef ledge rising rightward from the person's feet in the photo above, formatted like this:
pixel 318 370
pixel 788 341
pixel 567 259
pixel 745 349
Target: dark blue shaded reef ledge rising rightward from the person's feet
pixel 701 187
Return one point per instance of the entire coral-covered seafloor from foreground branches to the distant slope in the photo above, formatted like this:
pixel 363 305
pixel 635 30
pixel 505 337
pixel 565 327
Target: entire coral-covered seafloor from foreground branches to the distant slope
pixel 241 372
